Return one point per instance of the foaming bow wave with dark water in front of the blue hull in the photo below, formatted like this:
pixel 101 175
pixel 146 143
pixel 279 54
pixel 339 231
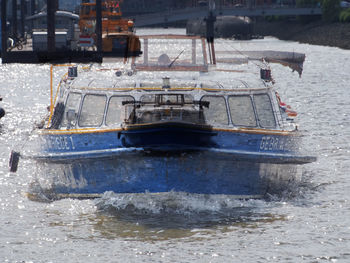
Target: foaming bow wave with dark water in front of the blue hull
pixel 178 209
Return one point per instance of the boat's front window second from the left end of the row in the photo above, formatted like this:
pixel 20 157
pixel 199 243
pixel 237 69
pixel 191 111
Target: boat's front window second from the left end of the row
pixel 92 110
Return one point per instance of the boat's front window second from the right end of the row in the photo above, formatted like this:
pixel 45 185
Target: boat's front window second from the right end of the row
pixel 242 111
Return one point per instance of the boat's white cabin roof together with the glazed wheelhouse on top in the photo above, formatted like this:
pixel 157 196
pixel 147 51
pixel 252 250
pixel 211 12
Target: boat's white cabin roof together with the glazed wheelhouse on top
pixel 186 69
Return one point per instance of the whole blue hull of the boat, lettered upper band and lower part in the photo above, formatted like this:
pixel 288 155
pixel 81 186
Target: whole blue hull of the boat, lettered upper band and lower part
pixel 92 164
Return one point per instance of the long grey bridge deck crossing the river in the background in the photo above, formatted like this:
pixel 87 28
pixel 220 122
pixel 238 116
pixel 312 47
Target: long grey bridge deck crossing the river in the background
pixel 168 16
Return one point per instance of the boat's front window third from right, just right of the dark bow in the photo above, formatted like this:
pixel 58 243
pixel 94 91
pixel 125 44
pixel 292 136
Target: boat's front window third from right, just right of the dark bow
pixel 216 113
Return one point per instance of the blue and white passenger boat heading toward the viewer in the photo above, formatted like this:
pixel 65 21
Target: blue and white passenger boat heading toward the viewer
pixel 171 121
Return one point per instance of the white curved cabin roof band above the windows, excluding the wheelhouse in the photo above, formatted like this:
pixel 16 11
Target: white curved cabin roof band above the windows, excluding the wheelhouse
pixel 118 80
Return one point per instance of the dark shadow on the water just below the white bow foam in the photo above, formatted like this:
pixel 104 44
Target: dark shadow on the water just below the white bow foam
pixel 180 216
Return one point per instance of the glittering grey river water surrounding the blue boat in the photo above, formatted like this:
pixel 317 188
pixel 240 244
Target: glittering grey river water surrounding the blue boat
pixel 311 223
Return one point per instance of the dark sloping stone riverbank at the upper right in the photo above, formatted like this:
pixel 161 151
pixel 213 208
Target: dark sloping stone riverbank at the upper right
pixel 315 33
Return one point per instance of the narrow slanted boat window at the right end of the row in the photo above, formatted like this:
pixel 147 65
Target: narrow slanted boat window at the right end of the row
pixel 264 110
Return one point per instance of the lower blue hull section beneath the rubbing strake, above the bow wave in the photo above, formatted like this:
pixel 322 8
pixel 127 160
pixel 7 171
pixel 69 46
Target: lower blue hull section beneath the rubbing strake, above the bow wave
pixel 193 172
